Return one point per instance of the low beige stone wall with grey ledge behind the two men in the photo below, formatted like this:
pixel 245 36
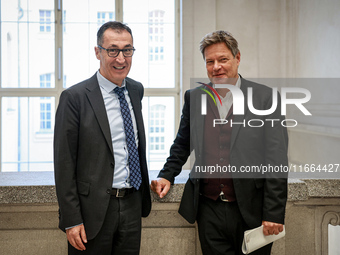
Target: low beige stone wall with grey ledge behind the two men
pixel 29 219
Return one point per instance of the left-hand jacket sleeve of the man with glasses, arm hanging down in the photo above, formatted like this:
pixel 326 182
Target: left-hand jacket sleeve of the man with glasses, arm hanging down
pixel 65 160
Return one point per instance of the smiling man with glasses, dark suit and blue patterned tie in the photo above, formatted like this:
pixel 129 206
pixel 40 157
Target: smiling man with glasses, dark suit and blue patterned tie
pixel 101 174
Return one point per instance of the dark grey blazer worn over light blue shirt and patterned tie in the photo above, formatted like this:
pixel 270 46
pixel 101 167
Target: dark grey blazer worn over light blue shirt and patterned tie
pixel 83 155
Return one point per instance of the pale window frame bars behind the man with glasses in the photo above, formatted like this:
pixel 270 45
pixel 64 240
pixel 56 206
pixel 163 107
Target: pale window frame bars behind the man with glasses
pixel 58 28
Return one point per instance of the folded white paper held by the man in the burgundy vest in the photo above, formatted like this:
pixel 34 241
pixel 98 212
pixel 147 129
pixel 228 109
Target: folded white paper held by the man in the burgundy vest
pixel 255 239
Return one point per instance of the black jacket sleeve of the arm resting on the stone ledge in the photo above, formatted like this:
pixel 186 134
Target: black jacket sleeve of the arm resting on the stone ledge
pixel 180 149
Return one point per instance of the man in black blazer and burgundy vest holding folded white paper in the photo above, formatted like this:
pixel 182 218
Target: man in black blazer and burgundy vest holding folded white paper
pixel 228 203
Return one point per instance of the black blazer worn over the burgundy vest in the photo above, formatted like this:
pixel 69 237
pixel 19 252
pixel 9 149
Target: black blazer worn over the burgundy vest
pixel 257 198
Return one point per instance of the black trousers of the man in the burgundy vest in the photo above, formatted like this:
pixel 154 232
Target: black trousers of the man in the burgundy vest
pixel 221 228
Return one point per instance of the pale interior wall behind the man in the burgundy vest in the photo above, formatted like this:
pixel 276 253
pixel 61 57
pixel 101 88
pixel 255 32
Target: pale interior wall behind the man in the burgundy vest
pixel 277 39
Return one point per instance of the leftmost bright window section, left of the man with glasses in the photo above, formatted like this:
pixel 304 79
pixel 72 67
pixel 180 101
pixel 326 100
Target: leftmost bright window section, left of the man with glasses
pixel 28 85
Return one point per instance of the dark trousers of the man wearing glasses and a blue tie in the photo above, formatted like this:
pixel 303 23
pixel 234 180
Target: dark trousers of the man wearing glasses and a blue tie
pixel 121 230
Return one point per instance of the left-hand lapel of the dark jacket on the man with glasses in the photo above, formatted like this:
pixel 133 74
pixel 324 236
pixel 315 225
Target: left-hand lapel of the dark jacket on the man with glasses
pixel 96 100
